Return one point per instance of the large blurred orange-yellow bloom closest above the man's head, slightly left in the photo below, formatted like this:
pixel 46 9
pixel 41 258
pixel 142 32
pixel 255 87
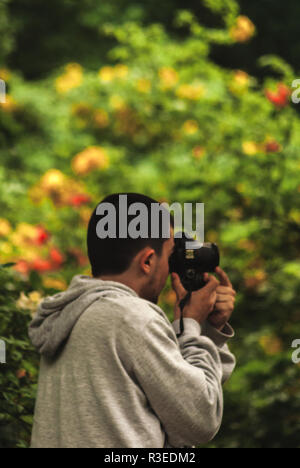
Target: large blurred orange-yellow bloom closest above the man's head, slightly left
pixel 90 159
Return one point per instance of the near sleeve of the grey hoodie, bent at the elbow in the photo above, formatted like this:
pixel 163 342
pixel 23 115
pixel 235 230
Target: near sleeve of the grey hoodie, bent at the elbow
pixel 182 381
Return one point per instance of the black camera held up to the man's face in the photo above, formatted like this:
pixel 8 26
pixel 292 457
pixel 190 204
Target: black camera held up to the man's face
pixel 191 264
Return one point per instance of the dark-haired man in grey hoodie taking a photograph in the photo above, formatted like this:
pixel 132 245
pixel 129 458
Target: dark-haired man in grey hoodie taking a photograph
pixel 113 373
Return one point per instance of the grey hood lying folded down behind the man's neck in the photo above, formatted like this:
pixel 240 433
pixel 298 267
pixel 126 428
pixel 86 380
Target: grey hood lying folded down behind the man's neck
pixel 57 315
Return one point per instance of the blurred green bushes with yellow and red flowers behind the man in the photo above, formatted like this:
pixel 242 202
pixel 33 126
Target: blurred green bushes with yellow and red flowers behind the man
pixel 184 104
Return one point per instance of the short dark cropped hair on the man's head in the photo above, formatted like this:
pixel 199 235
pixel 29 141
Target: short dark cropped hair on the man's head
pixel 114 255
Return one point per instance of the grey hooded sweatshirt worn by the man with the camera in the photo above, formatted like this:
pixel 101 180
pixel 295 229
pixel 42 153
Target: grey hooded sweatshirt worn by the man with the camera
pixel 113 373
